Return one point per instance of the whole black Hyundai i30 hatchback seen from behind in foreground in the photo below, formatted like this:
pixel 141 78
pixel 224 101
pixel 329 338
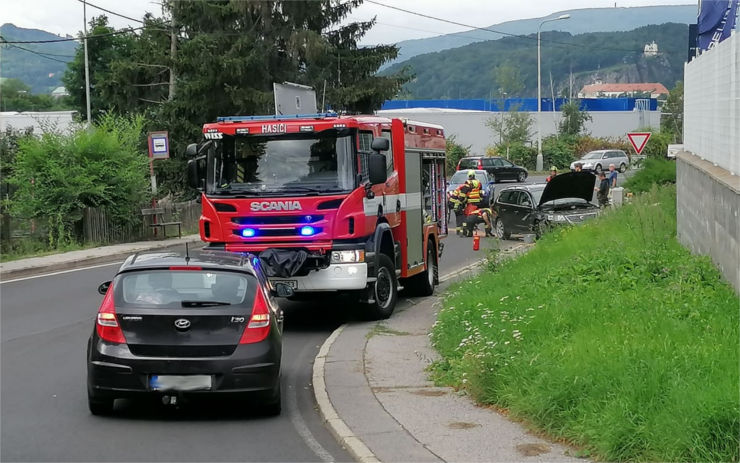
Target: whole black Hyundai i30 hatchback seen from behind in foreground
pixel 173 326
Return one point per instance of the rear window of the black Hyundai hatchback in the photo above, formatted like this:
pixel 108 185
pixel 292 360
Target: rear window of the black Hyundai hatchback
pixel 196 288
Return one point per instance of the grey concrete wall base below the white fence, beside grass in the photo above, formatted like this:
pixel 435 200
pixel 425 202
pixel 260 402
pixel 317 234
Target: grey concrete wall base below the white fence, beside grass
pixel 708 213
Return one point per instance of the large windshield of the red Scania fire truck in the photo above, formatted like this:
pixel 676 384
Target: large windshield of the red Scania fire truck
pixel 294 164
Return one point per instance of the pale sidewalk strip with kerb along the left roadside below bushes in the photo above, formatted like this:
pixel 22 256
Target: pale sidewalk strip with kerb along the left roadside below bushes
pixel 37 266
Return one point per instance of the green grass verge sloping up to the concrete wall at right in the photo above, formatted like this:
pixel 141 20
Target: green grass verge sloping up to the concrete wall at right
pixel 609 335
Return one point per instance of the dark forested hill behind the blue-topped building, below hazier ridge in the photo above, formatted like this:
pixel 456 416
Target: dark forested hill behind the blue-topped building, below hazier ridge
pixel 475 70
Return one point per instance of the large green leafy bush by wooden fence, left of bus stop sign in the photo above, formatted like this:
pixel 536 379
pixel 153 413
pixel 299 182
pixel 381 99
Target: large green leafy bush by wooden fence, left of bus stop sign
pixel 58 175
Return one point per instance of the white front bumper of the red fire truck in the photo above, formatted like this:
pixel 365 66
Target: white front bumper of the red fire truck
pixel 335 277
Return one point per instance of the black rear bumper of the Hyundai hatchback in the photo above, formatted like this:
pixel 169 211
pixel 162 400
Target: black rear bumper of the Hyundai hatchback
pixel 113 371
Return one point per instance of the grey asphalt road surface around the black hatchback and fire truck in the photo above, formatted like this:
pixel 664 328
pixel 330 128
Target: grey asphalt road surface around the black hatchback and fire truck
pixel 45 325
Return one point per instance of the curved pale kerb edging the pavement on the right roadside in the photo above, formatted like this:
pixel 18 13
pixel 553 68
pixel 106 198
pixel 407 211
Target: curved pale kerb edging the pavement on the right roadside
pixel 339 429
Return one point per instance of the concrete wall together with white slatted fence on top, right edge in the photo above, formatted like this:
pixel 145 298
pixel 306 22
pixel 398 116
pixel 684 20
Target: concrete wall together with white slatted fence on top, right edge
pixel 708 185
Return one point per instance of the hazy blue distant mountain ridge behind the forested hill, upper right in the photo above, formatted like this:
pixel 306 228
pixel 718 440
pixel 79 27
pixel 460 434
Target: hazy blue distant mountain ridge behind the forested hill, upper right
pixel 581 21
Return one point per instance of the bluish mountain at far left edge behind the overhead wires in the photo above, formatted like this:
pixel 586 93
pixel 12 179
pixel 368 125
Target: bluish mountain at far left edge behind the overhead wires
pixel 41 73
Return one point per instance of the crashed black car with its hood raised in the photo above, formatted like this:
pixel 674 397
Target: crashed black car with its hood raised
pixel 525 209
